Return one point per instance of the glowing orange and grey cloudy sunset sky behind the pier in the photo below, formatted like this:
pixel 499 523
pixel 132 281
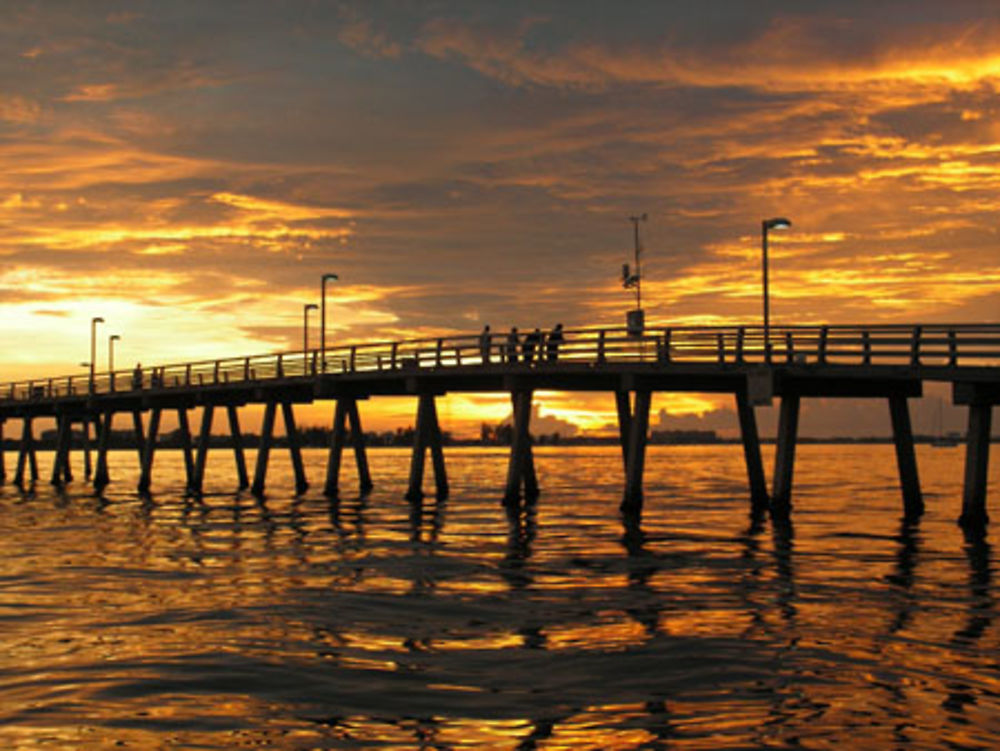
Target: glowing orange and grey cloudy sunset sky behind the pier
pixel 188 170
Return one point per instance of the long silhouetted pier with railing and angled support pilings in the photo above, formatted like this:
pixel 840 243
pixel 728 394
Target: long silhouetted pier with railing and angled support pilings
pixel 888 362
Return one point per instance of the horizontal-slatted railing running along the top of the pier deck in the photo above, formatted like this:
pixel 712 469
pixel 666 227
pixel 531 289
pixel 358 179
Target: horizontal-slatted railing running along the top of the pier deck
pixel 914 346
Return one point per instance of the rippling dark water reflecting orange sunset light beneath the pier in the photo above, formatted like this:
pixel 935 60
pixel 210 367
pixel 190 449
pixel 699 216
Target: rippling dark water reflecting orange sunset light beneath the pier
pixel 297 623
